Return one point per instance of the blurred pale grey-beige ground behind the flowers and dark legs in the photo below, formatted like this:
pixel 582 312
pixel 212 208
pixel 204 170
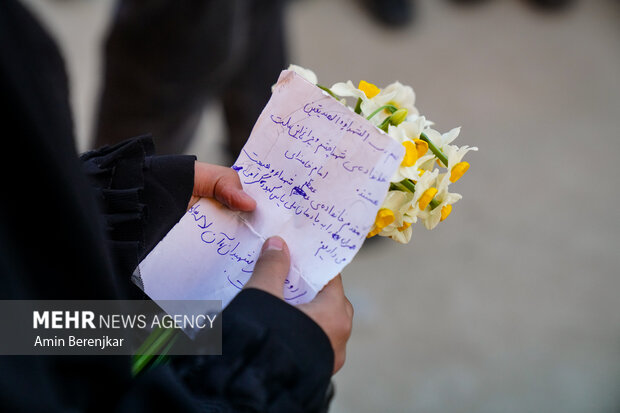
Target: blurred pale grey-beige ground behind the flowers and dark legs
pixel 512 304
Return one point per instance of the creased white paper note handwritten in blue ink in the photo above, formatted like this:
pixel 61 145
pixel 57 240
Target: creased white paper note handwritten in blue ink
pixel 318 172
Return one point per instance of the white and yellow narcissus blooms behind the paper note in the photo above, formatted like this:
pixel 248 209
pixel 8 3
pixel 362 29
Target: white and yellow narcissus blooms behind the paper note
pixel 419 190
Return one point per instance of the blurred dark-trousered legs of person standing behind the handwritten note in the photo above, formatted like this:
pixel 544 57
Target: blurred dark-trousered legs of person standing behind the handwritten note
pixel 165 60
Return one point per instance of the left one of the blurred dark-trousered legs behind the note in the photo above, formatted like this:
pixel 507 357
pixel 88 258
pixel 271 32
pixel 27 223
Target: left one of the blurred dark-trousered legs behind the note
pixel 163 60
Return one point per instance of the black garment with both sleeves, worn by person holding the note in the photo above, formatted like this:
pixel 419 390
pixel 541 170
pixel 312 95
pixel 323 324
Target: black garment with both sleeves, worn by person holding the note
pixel 75 230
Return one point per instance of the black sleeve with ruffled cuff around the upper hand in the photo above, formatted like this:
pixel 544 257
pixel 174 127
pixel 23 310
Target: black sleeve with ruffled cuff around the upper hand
pixel 141 196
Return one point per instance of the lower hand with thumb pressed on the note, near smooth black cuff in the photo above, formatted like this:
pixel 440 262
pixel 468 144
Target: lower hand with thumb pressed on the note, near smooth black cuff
pixel 330 309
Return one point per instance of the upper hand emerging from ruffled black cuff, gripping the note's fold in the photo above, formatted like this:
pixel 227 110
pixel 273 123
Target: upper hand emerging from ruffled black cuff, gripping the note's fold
pixel 221 183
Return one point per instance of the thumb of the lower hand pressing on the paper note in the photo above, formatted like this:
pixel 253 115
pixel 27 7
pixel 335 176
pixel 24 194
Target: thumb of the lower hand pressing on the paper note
pixel 272 267
